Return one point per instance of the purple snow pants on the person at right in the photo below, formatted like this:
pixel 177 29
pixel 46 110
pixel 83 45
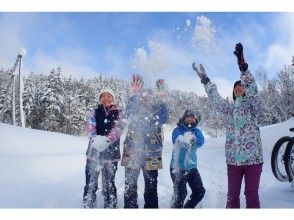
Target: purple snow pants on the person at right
pixel 251 175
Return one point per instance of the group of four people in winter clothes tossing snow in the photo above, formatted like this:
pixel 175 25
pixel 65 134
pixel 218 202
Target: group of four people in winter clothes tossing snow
pixel 144 117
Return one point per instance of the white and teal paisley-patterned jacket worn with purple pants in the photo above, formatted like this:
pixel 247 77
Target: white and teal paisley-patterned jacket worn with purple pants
pixel 243 143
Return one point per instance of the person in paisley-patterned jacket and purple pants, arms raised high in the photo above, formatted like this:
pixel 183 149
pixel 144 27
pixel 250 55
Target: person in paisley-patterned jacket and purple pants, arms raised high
pixel 243 147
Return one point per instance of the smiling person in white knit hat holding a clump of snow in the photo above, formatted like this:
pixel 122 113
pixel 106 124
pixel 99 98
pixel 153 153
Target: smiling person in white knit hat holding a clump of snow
pixel 104 129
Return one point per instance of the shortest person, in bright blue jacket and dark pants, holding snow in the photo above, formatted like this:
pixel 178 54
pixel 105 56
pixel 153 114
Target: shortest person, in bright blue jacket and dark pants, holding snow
pixel 186 138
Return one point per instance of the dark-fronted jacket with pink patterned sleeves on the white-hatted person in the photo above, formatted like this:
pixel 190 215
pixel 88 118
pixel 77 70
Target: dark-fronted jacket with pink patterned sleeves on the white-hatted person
pixel 105 122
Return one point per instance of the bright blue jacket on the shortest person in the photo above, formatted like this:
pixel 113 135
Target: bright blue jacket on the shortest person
pixel 186 140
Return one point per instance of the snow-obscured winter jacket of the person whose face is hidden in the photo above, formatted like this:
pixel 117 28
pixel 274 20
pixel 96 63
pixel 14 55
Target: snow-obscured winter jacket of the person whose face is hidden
pixel 145 121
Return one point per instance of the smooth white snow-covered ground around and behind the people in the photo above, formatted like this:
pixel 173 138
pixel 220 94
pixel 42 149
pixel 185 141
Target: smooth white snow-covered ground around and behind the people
pixel 42 169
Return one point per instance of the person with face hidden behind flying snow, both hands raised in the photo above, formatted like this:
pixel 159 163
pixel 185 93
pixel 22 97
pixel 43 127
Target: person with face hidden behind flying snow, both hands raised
pixel 143 143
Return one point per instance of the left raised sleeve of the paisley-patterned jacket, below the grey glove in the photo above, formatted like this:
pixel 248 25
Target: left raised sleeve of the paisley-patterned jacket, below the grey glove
pixel 221 104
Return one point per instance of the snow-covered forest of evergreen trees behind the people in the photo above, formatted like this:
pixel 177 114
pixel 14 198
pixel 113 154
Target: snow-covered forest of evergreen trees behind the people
pixel 53 102
